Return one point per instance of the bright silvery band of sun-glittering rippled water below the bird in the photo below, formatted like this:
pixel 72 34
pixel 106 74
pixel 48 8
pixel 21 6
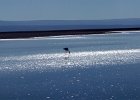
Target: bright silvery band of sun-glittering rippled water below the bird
pixel 42 62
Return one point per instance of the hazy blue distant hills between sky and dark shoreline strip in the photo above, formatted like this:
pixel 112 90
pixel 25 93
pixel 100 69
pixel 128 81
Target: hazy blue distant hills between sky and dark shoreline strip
pixel 46 25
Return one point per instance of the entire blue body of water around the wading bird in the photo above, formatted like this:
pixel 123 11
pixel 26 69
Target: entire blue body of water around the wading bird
pixel 99 67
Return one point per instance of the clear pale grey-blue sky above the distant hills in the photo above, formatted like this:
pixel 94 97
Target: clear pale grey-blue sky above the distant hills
pixel 68 9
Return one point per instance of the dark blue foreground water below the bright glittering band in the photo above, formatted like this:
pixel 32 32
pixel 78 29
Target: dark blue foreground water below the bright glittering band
pixel 102 83
